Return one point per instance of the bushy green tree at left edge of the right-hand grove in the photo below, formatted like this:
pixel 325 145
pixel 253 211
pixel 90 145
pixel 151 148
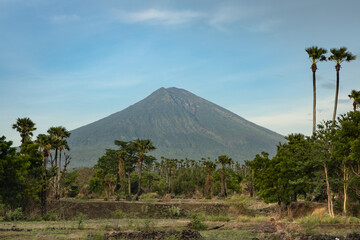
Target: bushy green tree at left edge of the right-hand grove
pixel 286 175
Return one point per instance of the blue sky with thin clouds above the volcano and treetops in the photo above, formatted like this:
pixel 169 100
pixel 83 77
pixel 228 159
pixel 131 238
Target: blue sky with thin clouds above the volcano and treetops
pixel 71 63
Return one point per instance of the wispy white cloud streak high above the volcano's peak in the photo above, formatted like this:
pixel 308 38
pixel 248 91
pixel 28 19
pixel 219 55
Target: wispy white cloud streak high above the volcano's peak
pixel 164 17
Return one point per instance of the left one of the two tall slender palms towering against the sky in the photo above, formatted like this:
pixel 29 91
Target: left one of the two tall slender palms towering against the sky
pixel 316 54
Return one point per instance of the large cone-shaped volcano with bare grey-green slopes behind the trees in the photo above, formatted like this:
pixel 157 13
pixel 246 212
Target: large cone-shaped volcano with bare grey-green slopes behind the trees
pixel 180 124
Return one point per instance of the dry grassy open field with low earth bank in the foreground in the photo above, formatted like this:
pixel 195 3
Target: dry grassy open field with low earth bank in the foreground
pixel 222 219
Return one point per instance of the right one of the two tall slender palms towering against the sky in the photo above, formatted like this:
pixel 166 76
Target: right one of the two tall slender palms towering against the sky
pixel 339 56
